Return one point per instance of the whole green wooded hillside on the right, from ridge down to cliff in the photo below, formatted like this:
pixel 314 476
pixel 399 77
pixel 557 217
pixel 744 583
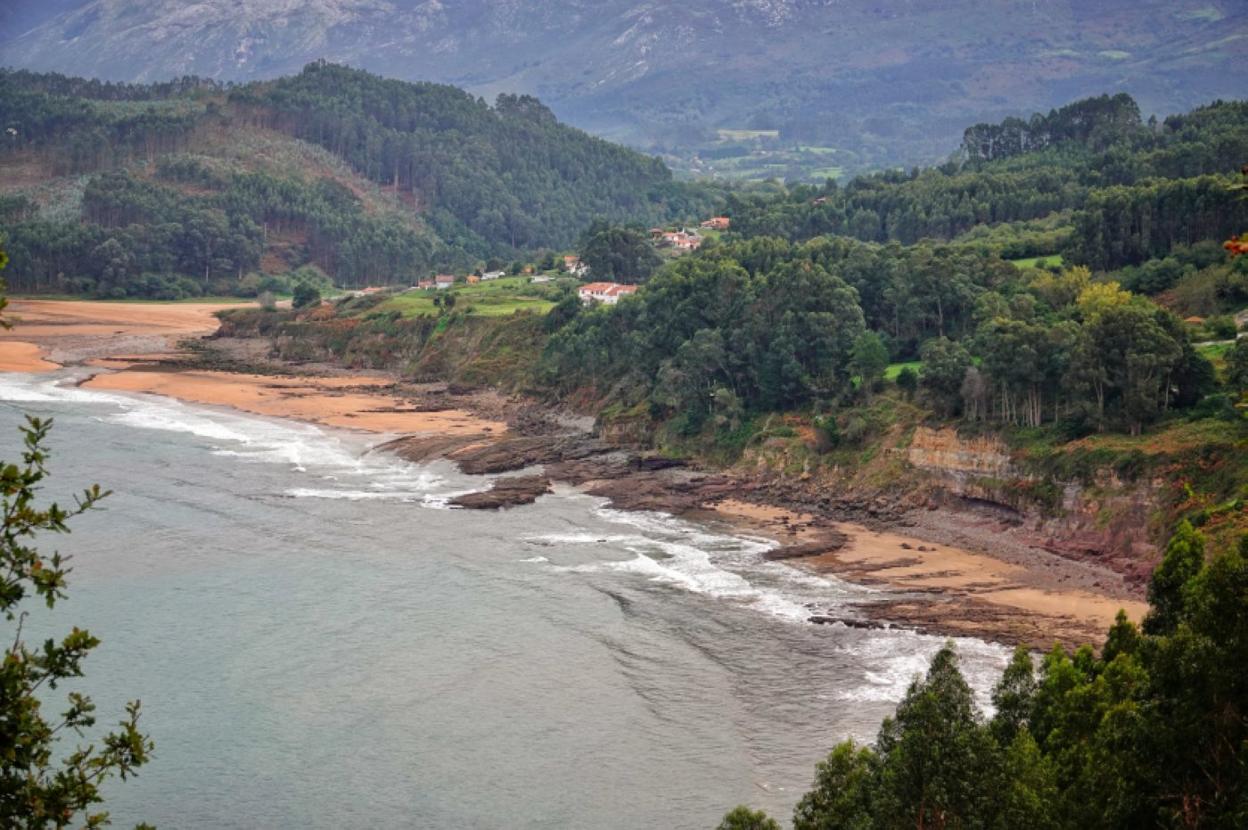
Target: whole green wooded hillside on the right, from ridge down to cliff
pixel 1051 298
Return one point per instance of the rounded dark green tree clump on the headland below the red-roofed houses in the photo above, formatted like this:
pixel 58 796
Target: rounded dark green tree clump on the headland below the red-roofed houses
pixel 754 328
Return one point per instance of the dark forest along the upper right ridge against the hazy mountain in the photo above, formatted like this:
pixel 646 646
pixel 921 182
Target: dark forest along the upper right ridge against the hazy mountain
pixel 1076 163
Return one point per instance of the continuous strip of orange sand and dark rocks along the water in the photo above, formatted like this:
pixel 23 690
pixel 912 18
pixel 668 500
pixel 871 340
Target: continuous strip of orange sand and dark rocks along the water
pixel 934 579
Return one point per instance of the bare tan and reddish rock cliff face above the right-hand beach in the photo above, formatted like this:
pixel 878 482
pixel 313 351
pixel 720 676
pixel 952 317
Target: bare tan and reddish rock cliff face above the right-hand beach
pixel 1109 520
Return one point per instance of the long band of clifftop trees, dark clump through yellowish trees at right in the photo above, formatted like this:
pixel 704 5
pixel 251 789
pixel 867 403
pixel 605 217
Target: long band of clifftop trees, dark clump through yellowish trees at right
pixel 764 325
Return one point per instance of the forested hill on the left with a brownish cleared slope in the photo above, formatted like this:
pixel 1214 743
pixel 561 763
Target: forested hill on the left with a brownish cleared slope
pixel 192 188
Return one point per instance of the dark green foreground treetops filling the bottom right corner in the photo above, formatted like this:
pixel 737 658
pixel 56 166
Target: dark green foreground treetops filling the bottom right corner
pixel 1151 733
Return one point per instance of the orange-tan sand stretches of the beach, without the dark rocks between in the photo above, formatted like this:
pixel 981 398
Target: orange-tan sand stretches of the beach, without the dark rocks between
pixel 1034 598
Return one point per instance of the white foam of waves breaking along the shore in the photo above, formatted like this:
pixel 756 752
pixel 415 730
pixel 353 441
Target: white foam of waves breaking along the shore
pixel 666 550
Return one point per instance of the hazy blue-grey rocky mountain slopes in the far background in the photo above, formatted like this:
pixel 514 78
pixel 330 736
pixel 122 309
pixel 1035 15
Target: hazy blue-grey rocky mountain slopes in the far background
pixel 868 84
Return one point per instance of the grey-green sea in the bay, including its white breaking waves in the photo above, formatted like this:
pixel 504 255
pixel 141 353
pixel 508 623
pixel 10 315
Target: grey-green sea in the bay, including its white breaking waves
pixel 319 642
